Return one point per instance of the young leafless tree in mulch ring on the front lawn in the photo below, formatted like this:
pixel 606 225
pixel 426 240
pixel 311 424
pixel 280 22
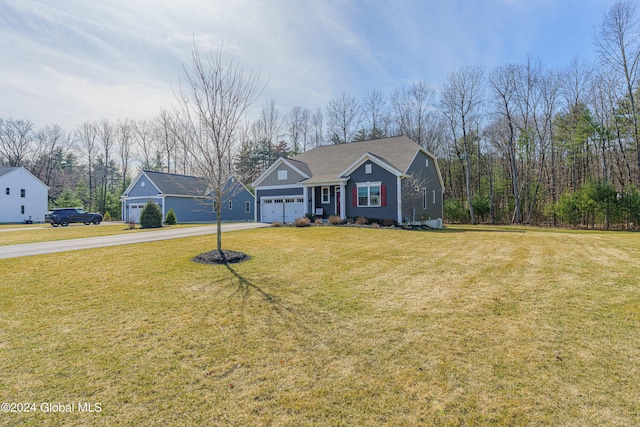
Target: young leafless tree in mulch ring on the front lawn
pixel 212 100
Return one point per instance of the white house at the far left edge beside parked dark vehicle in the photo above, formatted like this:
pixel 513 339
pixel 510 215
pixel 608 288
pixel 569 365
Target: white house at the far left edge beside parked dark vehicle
pixel 23 197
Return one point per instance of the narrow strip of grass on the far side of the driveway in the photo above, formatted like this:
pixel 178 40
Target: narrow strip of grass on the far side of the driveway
pixel 46 233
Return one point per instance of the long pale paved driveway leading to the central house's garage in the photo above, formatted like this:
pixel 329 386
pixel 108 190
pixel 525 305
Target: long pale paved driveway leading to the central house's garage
pixel 14 251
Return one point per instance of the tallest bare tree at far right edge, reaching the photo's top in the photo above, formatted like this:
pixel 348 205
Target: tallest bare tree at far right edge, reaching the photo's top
pixel 617 40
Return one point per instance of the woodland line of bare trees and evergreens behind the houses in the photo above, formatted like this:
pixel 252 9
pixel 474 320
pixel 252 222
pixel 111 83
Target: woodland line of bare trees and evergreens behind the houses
pixel 519 143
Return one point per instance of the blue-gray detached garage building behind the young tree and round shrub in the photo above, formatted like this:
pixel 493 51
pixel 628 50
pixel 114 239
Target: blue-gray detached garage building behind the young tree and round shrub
pixel 188 196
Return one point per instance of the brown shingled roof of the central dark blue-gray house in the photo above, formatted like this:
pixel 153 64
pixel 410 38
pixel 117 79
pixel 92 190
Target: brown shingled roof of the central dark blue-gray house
pixel 329 162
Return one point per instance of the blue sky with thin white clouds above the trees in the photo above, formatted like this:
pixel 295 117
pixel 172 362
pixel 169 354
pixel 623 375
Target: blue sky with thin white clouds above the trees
pixel 69 61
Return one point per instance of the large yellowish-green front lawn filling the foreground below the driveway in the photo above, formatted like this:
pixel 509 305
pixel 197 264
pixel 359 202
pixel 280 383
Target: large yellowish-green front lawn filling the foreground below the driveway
pixel 331 326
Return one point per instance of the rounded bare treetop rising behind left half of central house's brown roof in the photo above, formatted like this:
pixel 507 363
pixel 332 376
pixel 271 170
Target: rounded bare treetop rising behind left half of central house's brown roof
pixel 343 118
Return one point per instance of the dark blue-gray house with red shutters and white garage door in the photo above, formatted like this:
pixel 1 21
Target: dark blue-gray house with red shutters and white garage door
pixel 389 178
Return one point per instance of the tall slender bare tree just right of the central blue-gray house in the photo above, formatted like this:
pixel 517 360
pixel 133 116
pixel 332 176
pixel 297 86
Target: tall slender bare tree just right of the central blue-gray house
pixel 461 100
